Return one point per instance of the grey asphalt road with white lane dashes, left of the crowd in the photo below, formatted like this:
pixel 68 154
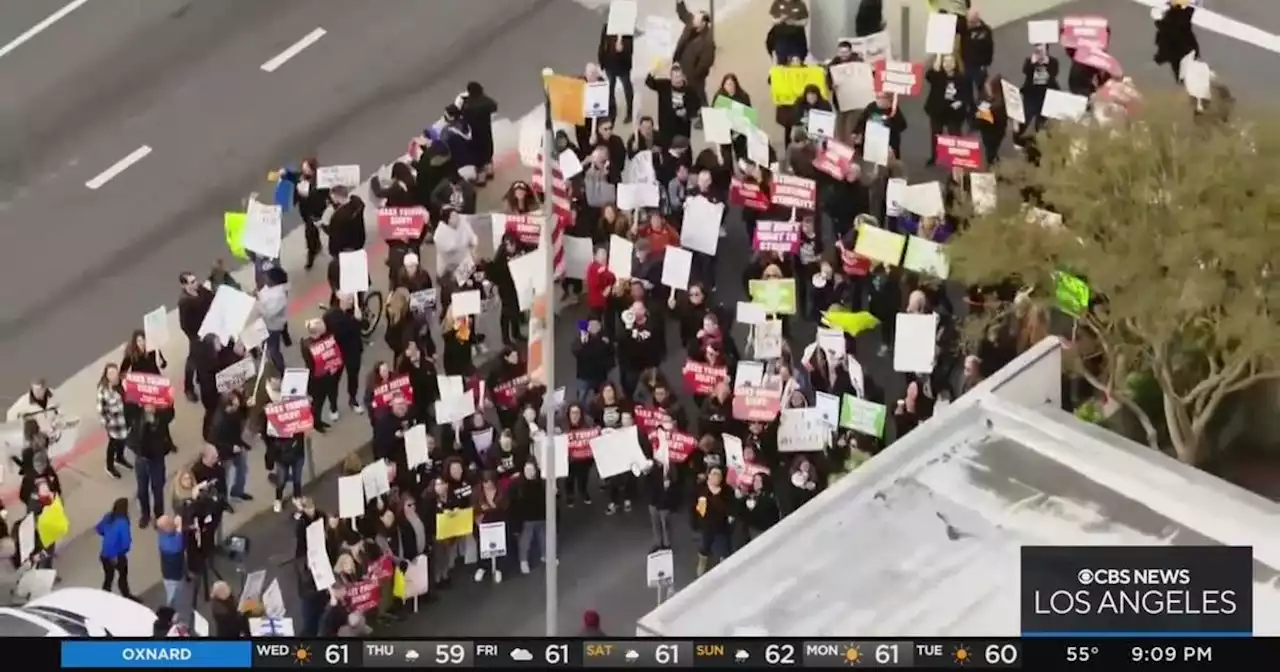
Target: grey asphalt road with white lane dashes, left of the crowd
pixel 184 77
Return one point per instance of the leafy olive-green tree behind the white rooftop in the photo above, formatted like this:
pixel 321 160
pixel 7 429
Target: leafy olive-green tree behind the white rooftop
pixel 1173 220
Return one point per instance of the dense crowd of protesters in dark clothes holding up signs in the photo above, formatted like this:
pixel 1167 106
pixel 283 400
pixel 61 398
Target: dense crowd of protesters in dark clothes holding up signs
pixel 710 460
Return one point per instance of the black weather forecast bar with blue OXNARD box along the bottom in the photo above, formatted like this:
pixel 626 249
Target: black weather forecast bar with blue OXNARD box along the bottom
pixel 755 653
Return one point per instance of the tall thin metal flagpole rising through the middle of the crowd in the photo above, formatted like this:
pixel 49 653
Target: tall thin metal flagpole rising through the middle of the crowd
pixel 550 476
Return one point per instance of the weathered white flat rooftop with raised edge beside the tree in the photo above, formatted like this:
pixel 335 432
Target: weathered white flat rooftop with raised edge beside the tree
pixel 924 541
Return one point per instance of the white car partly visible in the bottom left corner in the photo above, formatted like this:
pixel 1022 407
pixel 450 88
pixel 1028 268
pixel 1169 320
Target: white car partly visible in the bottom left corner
pixel 83 612
